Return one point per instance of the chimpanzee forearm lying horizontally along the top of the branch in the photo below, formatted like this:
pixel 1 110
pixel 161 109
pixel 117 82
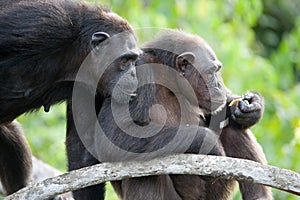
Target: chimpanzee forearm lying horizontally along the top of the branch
pixel 118 138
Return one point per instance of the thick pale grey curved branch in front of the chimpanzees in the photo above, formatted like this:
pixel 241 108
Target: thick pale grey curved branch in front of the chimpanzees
pixel 228 168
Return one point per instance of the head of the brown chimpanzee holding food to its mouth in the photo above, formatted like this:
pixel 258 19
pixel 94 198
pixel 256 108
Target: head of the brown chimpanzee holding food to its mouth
pixel 194 65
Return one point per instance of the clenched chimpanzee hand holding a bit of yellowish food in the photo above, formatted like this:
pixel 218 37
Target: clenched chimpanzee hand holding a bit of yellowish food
pixel 247 110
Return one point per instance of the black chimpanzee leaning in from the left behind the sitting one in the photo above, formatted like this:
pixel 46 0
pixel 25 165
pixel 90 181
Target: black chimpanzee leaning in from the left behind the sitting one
pixel 42 46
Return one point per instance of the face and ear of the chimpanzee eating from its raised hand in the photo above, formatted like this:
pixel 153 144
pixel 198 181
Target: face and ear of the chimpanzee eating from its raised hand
pixel 201 68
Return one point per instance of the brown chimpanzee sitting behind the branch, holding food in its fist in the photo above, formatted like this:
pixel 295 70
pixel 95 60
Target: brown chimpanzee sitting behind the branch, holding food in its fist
pixel 190 63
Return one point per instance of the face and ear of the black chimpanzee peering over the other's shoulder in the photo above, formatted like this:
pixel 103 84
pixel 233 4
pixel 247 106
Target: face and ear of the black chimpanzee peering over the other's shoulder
pixel 119 79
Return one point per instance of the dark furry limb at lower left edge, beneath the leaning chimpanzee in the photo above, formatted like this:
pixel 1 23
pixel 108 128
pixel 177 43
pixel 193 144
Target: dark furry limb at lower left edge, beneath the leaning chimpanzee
pixel 15 157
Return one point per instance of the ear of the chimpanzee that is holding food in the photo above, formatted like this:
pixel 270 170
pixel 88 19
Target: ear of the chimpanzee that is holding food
pixel 183 60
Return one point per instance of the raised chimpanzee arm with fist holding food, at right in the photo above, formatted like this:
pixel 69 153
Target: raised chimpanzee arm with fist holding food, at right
pixel 239 142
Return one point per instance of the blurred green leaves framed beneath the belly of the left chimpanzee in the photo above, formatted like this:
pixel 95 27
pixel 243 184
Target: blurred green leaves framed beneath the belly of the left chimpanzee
pixel 46 134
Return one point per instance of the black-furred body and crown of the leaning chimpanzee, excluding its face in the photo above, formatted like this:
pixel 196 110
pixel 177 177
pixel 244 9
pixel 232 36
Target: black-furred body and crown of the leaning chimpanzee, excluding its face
pixel 42 45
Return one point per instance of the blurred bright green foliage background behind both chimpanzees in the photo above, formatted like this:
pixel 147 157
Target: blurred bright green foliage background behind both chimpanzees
pixel 258 43
